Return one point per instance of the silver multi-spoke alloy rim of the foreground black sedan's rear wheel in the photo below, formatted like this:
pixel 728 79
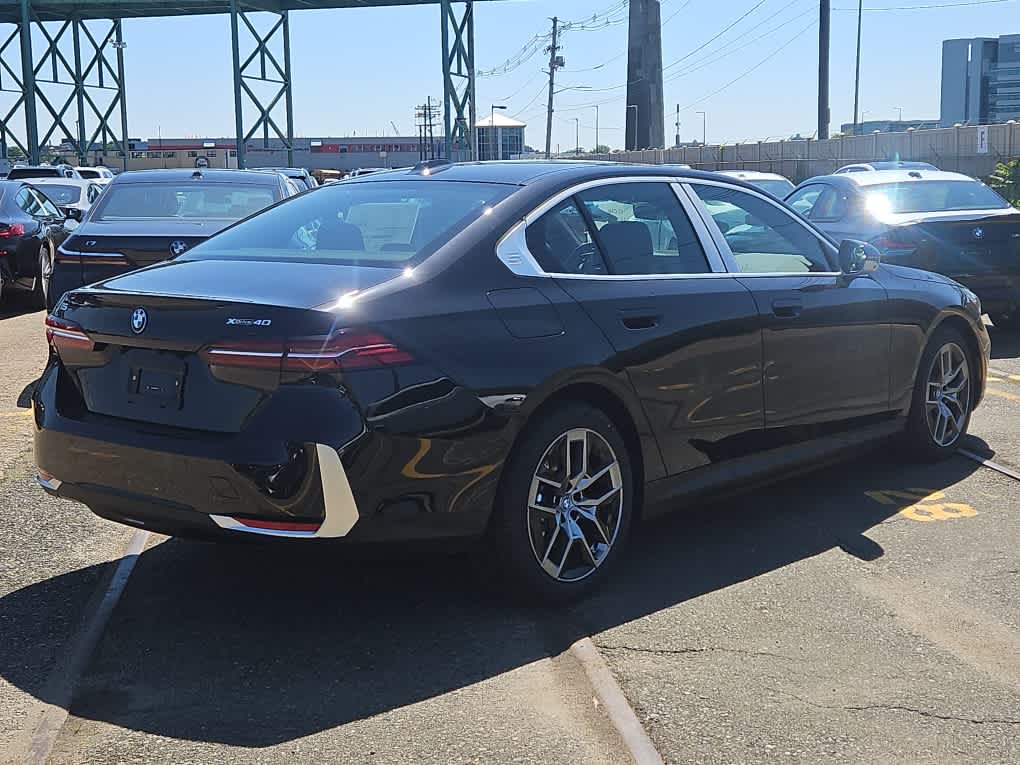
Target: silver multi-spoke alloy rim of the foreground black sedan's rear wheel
pixel 576 505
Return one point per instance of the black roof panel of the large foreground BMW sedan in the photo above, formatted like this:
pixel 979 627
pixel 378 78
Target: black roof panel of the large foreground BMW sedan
pixel 525 173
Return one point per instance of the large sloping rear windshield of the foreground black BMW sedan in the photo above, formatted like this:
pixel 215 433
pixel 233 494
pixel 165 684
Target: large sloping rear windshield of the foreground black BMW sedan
pixel 385 224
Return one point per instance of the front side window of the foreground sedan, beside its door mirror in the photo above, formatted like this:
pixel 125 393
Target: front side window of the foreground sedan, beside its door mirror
pixel 763 238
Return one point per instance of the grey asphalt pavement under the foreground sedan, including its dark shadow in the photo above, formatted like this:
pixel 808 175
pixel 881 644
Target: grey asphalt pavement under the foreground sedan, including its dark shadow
pixel 868 613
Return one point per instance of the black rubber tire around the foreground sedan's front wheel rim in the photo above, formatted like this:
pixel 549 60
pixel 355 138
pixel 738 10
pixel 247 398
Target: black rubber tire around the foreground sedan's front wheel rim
pixel 920 438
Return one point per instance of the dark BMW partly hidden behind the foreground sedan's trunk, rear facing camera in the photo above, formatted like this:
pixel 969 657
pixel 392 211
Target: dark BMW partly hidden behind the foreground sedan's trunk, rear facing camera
pixel 145 217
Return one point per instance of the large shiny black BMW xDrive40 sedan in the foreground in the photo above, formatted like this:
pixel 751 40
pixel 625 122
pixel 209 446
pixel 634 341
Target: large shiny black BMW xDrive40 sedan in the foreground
pixel 535 354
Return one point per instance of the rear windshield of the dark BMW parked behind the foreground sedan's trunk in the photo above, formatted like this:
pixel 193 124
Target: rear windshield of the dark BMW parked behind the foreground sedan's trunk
pixel 187 200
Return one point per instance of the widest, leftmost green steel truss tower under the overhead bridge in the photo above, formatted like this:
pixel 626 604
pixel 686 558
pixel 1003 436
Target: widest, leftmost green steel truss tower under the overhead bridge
pixel 88 58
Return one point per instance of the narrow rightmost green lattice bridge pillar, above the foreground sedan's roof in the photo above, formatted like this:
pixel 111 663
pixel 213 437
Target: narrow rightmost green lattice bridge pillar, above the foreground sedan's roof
pixel 458 80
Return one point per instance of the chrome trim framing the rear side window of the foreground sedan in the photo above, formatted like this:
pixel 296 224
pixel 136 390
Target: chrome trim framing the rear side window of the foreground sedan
pixel 513 246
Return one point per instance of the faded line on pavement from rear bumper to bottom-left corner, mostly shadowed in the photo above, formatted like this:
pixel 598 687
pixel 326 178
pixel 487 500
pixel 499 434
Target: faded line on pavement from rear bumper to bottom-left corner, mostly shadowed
pixel 61 685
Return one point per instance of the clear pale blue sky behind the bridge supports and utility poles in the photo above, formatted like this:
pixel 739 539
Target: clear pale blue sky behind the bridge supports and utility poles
pixel 356 71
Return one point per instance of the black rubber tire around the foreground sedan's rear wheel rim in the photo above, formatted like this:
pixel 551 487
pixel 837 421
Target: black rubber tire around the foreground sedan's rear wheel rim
pixel 516 531
